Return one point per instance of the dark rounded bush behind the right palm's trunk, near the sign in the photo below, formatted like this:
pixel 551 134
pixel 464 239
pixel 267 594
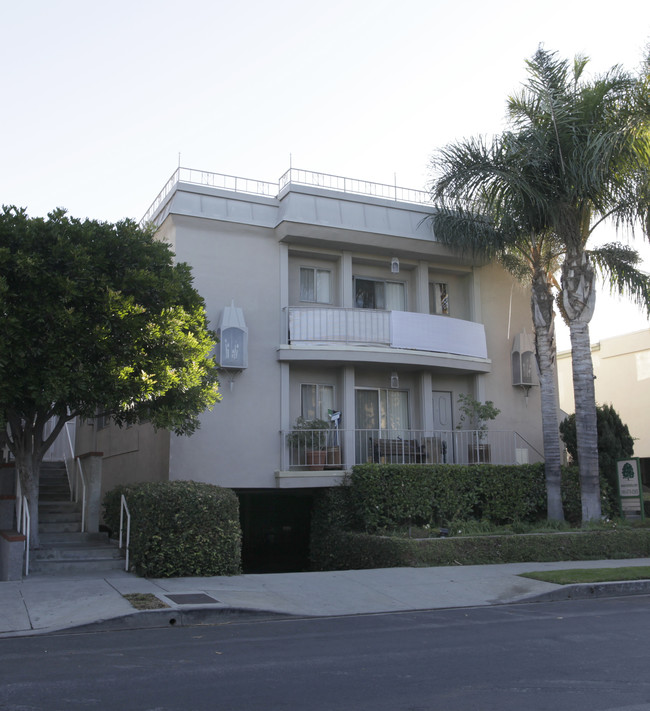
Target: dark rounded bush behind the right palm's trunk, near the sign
pixel 614 441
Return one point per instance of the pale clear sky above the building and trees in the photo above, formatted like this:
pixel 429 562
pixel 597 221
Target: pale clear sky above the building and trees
pixel 99 99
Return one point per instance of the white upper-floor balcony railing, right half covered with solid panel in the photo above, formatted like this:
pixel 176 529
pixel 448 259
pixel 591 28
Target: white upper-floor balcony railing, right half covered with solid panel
pixel 397 329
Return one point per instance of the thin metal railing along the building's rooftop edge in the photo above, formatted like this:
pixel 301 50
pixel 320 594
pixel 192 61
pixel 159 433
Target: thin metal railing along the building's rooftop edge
pixel 293 176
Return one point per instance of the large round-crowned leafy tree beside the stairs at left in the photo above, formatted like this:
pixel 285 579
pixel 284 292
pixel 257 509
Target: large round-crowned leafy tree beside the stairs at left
pixel 96 318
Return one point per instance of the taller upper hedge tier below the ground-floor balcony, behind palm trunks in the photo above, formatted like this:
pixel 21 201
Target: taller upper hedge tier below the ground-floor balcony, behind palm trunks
pixel 388 496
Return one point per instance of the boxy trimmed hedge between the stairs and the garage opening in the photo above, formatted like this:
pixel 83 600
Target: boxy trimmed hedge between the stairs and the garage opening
pixel 179 528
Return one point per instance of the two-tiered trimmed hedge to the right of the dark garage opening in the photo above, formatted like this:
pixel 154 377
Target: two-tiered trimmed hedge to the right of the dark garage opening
pixel 378 498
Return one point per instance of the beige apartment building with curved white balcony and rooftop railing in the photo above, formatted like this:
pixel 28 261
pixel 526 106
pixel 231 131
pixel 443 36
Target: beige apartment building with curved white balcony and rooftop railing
pixel 331 294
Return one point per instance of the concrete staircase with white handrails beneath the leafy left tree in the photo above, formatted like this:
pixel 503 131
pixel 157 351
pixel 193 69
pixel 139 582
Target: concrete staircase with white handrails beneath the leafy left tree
pixel 64 548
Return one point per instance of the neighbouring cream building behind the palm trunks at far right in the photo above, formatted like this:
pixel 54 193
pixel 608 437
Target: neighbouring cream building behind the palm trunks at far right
pixel 622 370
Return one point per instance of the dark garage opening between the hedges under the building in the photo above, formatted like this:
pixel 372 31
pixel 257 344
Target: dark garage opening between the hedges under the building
pixel 275 527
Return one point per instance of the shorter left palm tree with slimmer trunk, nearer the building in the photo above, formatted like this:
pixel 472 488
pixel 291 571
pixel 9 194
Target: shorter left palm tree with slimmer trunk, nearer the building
pixel 482 209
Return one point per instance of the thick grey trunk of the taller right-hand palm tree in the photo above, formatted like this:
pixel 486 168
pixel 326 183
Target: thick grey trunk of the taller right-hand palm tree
pixel 578 298
